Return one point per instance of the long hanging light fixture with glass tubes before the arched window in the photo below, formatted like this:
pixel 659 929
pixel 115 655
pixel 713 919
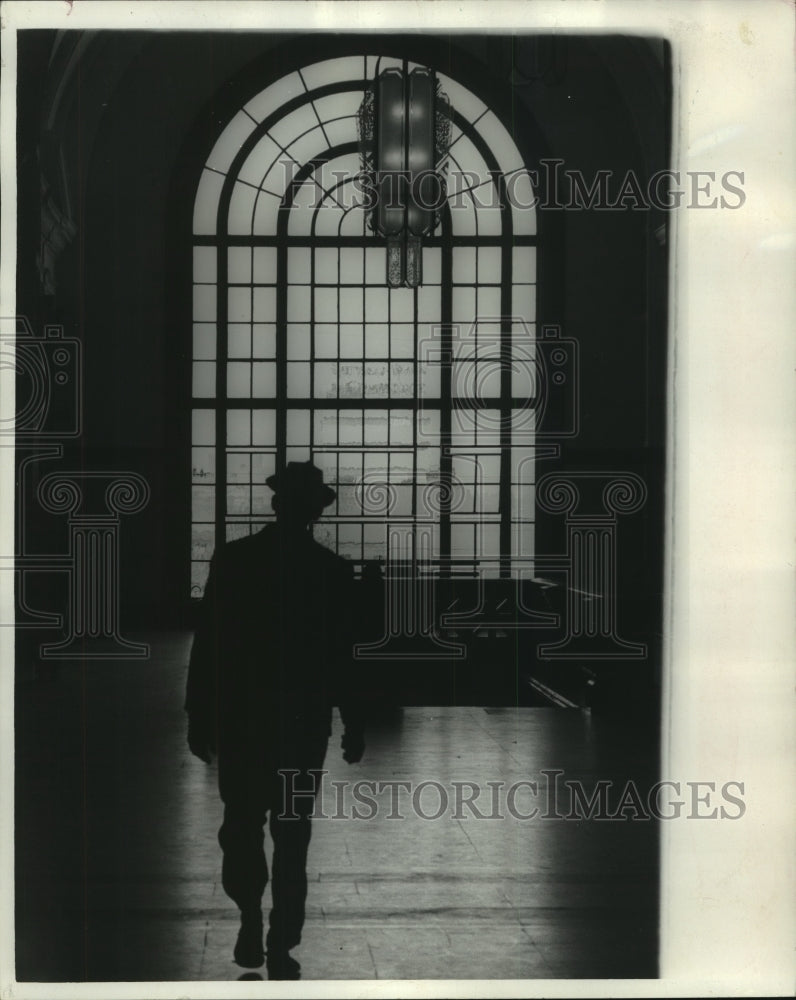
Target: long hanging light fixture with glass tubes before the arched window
pixel 404 131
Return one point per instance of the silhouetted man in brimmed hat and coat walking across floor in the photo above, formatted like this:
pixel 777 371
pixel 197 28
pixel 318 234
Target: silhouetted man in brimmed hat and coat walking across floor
pixel 271 656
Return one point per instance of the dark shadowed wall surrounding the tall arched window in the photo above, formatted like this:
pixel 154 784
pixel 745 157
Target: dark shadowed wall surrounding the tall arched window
pixel 134 115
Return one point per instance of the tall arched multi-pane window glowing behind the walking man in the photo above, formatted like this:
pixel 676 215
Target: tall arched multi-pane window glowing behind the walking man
pixel 417 403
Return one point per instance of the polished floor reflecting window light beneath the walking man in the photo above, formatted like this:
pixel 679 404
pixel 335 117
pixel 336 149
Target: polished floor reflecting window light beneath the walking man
pixel 118 869
